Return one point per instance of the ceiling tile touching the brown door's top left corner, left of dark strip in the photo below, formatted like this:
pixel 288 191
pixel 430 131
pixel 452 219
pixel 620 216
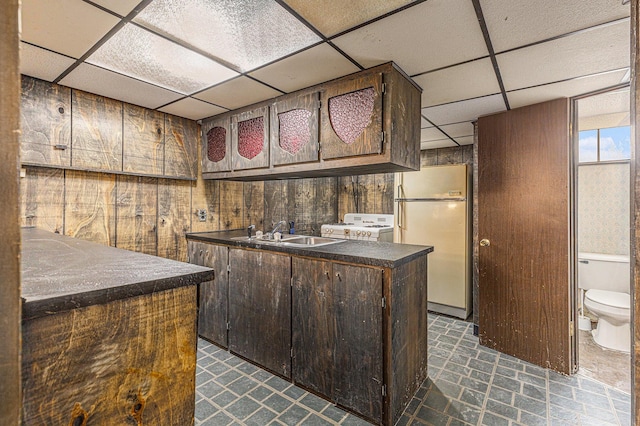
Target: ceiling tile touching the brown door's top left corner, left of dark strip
pixel 469 110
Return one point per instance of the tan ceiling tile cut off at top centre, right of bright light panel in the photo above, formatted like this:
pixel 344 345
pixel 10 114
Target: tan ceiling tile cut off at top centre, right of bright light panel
pixel 346 14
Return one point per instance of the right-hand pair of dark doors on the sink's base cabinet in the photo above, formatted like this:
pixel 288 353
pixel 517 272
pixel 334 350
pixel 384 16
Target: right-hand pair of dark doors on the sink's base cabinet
pixel 337 333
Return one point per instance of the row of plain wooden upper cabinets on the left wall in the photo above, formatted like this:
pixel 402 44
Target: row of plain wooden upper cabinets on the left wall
pixel 71 129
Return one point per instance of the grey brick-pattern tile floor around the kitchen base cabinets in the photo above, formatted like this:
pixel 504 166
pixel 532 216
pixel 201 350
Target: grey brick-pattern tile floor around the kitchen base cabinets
pixel 467 384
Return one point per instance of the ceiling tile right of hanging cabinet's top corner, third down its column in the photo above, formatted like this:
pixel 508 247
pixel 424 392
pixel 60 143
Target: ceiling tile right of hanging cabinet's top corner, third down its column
pixel 465 81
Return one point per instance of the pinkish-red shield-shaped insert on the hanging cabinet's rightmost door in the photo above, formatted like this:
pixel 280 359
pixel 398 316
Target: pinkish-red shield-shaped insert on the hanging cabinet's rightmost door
pixel 351 113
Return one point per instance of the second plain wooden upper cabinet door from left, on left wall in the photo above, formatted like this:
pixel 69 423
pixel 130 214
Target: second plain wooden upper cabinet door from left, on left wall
pixel 97 132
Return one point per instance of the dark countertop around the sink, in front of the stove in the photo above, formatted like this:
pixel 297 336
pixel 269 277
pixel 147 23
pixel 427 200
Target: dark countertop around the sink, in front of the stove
pixel 371 253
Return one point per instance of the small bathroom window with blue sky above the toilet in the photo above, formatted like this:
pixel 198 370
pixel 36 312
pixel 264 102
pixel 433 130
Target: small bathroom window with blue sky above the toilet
pixel 611 144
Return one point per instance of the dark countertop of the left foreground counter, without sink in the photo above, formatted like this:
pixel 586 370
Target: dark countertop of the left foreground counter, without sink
pixel 60 273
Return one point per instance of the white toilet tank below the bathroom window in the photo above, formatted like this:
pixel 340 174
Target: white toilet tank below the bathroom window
pixel 604 272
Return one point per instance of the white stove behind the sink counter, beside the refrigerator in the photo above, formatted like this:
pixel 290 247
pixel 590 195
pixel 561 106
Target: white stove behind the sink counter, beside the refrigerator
pixel 360 226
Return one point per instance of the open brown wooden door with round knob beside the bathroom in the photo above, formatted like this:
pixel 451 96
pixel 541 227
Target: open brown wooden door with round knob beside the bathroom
pixel 525 308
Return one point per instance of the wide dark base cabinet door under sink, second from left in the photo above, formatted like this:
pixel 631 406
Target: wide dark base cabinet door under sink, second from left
pixel 260 308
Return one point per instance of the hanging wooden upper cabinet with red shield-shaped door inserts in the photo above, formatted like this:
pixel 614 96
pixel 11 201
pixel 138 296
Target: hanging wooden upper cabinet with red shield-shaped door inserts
pixel 368 122
